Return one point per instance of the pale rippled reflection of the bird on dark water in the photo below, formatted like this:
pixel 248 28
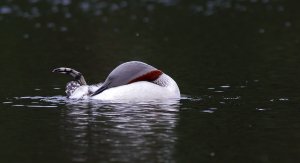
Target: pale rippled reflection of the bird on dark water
pixel 119 132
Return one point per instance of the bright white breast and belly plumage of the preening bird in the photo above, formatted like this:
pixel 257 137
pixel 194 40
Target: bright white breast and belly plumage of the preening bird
pixel 137 91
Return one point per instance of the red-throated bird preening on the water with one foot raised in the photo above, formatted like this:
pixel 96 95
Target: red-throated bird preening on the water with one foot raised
pixel 133 81
